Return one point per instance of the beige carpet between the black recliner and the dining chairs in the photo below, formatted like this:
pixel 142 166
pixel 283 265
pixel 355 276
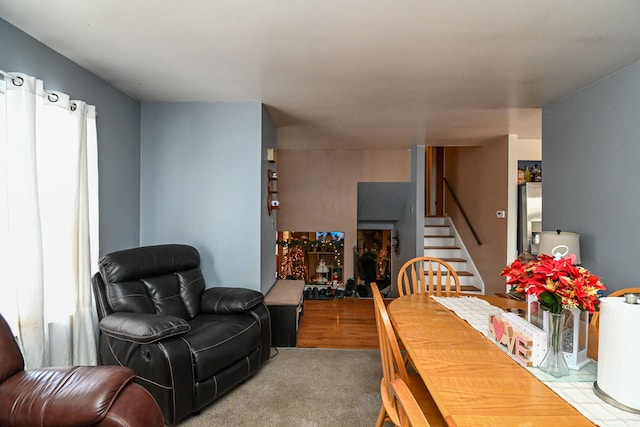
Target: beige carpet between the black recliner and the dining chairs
pixel 303 387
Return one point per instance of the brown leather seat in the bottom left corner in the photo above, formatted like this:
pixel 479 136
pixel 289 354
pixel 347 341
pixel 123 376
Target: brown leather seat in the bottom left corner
pixel 69 396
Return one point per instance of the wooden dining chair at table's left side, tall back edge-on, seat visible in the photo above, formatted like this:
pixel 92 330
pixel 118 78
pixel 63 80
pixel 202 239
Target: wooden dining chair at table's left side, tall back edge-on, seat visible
pixel 393 367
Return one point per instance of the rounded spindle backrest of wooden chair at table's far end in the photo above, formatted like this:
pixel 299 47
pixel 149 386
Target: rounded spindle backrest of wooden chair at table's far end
pixel 429 275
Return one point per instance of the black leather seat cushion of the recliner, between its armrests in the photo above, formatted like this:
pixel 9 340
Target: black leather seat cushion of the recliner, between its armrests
pixel 217 341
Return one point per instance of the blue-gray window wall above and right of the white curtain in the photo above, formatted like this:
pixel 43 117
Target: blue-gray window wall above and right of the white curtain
pixel 118 123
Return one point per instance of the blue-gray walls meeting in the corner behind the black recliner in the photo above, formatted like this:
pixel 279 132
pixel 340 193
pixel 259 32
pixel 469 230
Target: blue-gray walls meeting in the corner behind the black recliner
pixel 221 161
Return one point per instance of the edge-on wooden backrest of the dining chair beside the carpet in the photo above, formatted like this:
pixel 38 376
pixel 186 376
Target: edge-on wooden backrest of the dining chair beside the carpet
pixel 393 366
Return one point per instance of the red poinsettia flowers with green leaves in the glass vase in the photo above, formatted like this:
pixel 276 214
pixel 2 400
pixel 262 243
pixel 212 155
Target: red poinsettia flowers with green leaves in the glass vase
pixel 556 282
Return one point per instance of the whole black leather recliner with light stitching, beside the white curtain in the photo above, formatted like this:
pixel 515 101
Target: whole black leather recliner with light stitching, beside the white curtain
pixel 186 344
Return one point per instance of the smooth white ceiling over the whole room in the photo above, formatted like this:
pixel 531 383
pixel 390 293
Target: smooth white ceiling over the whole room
pixel 349 74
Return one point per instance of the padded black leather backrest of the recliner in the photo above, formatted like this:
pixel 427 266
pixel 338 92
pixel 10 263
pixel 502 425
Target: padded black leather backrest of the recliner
pixel 162 279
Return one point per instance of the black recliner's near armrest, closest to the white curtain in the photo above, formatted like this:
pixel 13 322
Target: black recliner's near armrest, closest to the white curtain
pixel 143 328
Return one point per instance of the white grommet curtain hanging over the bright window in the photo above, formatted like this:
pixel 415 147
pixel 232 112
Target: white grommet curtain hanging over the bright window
pixel 48 221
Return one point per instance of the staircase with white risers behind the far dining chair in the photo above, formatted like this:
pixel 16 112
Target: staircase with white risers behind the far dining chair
pixel 441 240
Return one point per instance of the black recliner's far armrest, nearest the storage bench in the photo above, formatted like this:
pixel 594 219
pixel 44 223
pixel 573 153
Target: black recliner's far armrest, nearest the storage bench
pixel 229 300
